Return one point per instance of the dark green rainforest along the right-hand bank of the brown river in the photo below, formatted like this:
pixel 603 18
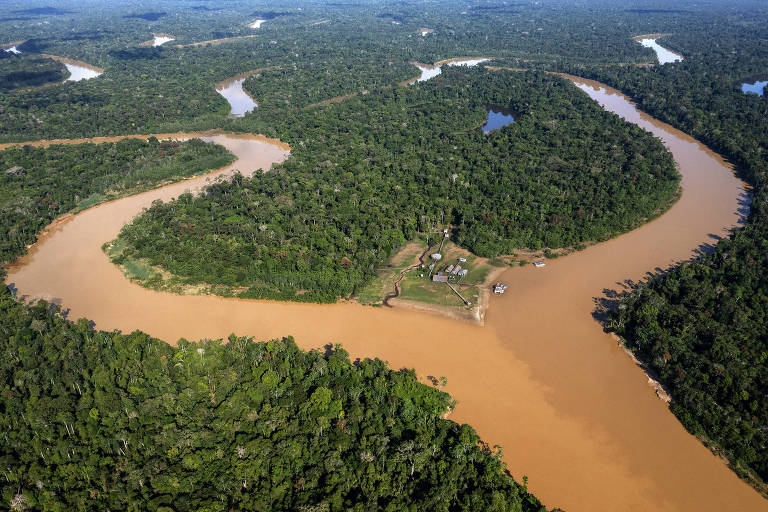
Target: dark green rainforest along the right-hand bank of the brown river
pixel 702 327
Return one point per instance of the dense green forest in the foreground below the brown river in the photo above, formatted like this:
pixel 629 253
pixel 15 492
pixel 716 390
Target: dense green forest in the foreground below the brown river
pixel 96 420
